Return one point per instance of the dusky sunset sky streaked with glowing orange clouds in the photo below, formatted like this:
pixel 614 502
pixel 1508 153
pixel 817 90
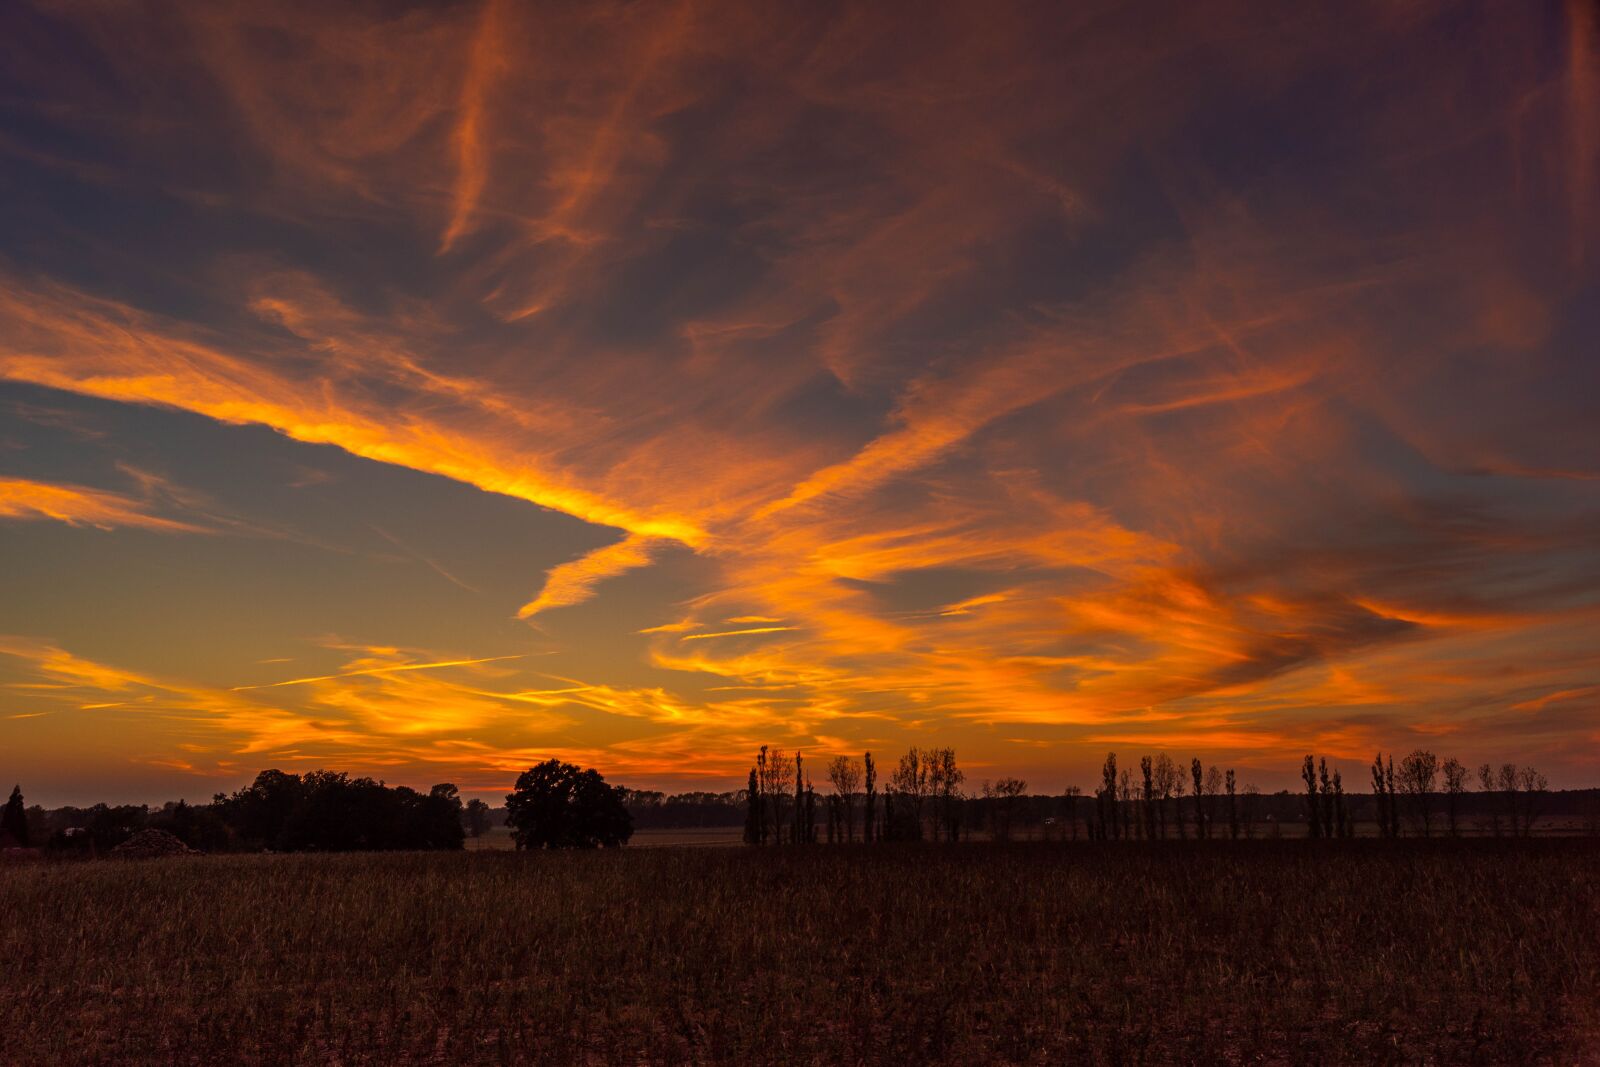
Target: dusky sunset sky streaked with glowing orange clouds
pixel 430 390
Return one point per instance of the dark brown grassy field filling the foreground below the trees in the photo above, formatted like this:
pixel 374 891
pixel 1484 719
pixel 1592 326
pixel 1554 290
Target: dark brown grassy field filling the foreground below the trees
pixel 1442 953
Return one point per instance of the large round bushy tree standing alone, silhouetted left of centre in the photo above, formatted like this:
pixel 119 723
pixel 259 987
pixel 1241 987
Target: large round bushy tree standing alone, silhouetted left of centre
pixel 558 805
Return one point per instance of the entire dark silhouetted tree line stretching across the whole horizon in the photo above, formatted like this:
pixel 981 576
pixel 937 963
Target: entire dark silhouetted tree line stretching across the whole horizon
pixel 922 797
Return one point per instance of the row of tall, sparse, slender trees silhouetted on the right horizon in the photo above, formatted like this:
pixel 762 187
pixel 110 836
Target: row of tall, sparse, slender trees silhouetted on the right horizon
pixel 924 799
